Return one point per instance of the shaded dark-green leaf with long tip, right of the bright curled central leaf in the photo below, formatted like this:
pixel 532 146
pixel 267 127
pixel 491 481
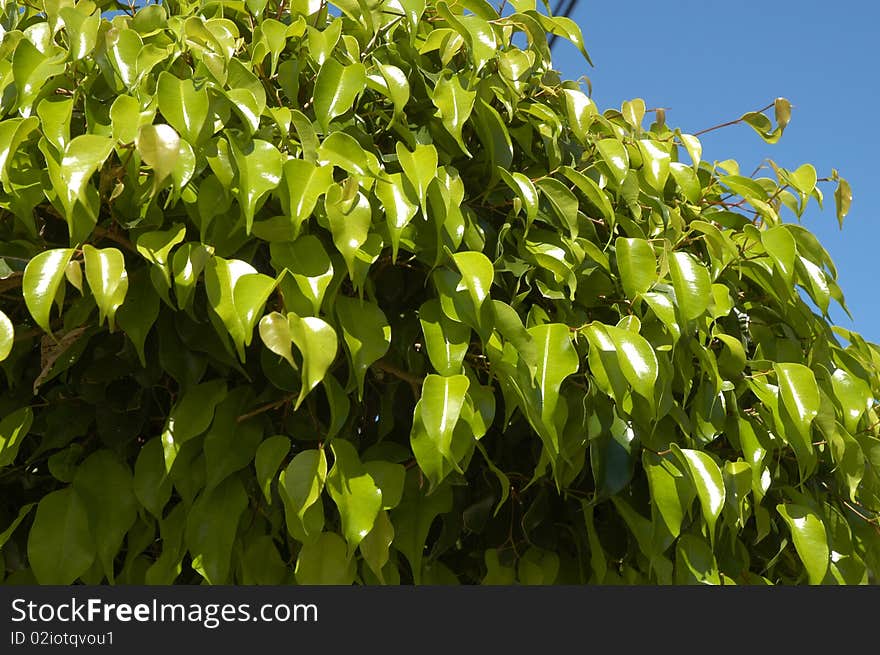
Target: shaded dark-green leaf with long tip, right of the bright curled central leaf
pixel 366 333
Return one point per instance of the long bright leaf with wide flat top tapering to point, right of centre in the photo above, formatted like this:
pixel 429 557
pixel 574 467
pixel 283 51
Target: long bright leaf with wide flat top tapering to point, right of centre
pixel 556 359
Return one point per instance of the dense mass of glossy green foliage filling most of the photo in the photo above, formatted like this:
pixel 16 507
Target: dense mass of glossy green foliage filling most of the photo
pixel 298 293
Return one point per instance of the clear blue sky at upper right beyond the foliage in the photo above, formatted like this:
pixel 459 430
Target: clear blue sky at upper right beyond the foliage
pixel 710 62
